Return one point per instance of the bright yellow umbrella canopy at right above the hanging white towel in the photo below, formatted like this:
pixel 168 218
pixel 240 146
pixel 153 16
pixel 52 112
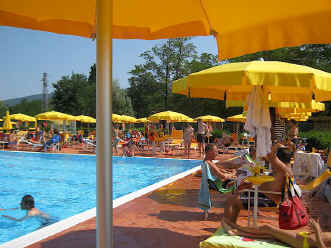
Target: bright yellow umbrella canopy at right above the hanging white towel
pixel 279 81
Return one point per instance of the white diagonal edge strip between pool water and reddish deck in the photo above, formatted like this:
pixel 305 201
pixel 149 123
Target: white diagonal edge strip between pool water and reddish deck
pixel 62 225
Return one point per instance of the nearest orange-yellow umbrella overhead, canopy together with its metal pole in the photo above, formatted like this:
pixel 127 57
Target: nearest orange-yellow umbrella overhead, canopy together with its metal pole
pixel 273 25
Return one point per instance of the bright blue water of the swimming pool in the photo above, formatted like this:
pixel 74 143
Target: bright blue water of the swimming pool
pixel 64 185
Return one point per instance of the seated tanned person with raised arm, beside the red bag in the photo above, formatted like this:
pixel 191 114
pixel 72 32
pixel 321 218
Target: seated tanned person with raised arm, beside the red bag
pixel 279 158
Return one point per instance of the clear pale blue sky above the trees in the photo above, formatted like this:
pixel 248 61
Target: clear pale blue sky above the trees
pixel 26 54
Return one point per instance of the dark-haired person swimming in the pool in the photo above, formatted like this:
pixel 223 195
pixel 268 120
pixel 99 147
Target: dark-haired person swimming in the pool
pixel 27 203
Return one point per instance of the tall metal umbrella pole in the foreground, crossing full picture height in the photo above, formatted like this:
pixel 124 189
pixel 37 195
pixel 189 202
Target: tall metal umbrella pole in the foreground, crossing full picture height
pixel 104 123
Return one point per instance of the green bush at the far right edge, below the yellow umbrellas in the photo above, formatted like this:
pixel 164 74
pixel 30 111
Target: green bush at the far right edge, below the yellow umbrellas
pixel 317 139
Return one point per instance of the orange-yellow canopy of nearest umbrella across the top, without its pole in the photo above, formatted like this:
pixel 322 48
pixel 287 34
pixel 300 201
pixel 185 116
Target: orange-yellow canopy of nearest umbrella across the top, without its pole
pixel 274 25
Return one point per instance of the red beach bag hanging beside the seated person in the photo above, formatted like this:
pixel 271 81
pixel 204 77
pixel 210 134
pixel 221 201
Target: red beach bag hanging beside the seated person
pixel 292 213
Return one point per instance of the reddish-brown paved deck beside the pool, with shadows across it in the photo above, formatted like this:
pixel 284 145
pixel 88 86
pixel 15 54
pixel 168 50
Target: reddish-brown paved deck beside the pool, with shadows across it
pixel 166 217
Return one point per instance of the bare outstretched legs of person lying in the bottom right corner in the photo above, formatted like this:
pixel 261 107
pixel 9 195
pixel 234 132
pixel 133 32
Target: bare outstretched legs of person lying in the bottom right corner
pixel 294 238
